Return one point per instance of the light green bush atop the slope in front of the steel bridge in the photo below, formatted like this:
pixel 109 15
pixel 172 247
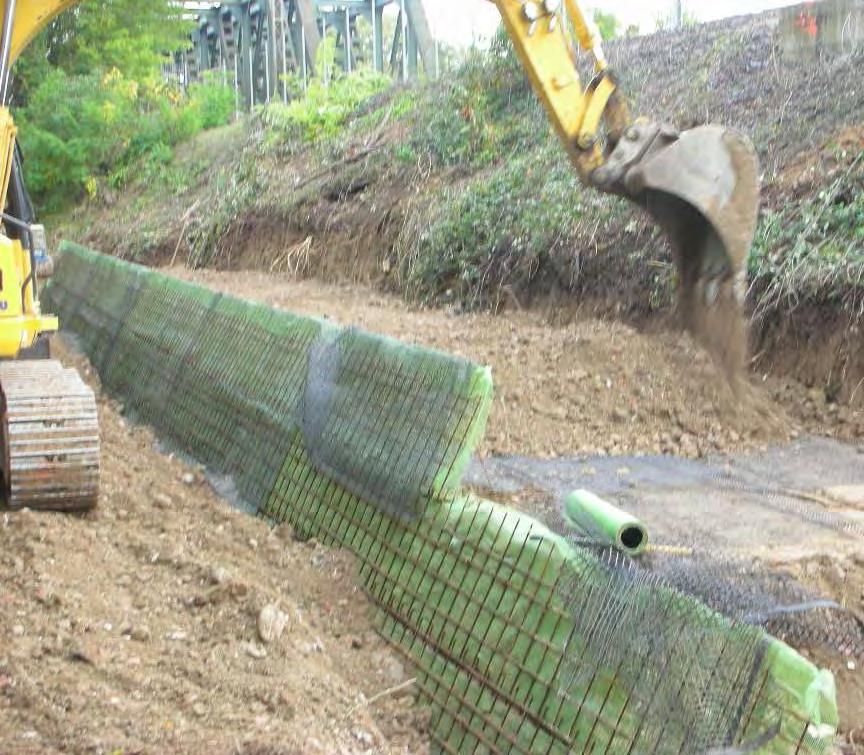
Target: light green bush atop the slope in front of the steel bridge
pixel 323 111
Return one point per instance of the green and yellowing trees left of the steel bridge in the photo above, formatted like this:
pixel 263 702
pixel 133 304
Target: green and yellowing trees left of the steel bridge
pixel 91 102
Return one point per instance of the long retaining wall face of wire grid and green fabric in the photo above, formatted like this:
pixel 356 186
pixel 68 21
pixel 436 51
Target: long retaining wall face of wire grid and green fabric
pixel 361 441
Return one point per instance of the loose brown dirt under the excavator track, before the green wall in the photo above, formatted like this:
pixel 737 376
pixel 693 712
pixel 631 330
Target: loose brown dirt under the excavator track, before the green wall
pixel 135 628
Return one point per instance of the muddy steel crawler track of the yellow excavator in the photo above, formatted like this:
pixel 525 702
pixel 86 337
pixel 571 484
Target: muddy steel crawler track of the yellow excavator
pixel 50 437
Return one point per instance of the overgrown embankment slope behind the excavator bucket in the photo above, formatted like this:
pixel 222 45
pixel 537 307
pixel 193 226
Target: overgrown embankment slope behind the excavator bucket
pixel 458 193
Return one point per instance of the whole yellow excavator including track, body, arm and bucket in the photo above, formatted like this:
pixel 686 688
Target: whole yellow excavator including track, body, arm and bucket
pixel 699 185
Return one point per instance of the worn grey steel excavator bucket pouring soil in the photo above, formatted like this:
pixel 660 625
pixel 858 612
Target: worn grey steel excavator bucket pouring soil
pixel 702 188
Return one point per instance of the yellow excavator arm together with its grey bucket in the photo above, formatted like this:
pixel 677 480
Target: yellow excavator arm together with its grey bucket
pixel 701 185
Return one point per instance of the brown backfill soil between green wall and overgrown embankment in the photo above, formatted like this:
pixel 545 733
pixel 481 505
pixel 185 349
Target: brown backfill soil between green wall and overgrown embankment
pixel 594 387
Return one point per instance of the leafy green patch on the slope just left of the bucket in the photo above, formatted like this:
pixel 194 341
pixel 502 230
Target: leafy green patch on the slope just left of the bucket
pixel 503 227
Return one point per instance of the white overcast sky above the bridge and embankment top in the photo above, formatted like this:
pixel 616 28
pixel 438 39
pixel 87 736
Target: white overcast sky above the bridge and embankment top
pixel 459 21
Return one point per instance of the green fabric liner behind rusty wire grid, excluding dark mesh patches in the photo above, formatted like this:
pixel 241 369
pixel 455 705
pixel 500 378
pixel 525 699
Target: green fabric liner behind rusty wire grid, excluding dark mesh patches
pixel 468 592
